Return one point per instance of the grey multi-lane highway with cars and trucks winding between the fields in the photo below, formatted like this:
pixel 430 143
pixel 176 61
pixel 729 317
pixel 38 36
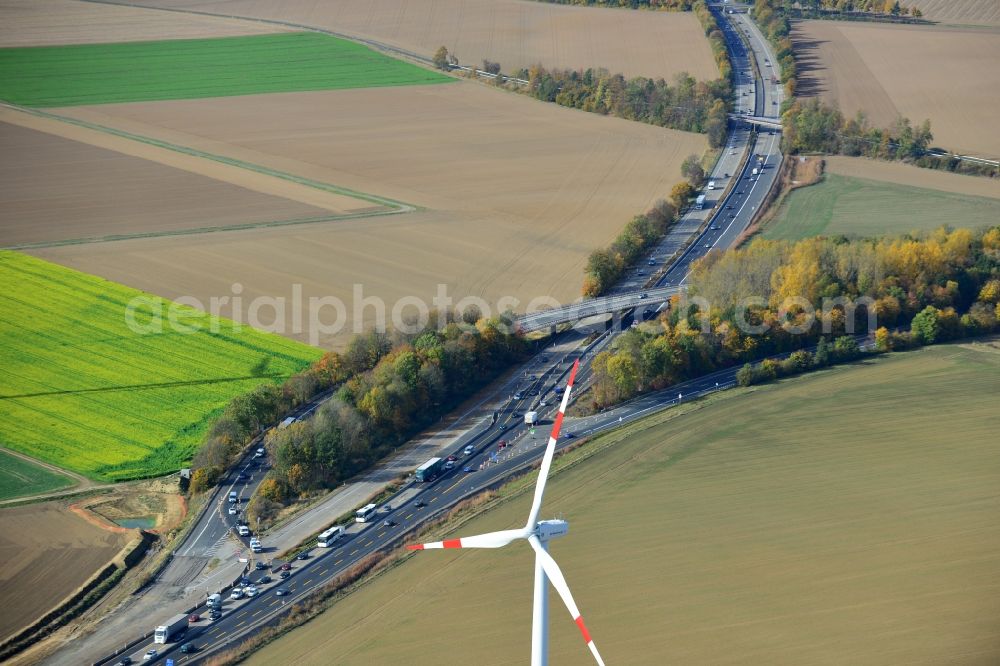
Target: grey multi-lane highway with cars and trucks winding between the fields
pixel 739 192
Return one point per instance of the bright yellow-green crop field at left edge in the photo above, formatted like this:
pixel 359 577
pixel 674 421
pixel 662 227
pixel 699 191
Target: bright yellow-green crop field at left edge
pixel 83 391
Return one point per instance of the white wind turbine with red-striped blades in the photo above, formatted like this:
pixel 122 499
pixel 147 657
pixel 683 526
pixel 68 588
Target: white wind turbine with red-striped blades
pixel 537 534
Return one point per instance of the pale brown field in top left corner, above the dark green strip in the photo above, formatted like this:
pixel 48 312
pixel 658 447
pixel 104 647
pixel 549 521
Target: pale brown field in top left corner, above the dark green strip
pixel 47 22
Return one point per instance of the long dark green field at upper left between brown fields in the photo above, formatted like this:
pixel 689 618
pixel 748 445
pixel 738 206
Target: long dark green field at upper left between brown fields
pixel 192 68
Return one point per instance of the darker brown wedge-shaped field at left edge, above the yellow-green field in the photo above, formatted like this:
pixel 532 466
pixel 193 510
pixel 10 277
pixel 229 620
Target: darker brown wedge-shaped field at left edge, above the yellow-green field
pixel 57 190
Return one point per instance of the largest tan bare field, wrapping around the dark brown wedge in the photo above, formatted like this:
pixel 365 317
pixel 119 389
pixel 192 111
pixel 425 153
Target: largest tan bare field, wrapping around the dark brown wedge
pixel 519 193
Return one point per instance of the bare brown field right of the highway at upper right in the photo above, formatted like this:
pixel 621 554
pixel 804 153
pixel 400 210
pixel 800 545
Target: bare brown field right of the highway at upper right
pixel 944 74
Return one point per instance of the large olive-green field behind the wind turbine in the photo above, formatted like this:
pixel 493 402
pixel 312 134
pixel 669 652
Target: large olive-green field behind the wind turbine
pixel 848 516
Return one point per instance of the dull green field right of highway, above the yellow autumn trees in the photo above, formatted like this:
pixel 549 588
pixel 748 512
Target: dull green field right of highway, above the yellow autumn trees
pixel 855 206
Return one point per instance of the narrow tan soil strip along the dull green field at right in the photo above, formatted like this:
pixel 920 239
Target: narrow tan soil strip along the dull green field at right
pixel 905 174
